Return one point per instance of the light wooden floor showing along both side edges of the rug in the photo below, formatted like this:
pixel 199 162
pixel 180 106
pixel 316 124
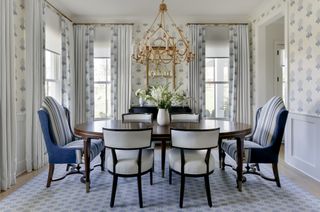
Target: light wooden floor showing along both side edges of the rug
pixel 296 176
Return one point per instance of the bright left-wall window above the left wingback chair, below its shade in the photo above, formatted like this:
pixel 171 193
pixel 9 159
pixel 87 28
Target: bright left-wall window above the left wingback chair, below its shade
pixel 53 76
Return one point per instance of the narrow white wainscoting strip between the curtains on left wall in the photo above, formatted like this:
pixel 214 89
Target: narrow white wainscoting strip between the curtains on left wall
pixel 21 143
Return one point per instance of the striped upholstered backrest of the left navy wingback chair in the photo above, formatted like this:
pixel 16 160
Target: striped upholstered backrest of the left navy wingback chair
pixel 58 121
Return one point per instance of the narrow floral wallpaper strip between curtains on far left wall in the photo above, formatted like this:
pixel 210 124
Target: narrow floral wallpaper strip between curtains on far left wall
pixel 20 53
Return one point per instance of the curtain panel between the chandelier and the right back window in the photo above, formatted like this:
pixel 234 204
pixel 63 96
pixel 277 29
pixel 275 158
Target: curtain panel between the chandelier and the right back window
pixel 197 69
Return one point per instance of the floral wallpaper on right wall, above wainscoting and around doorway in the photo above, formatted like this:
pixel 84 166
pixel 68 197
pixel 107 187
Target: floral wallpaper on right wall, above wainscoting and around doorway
pixel 304 52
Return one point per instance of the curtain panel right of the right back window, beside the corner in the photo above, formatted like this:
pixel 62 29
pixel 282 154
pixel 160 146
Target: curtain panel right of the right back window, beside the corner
pixel 240 98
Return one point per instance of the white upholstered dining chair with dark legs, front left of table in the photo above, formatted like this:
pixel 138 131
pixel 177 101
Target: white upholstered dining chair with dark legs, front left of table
pixel 130 156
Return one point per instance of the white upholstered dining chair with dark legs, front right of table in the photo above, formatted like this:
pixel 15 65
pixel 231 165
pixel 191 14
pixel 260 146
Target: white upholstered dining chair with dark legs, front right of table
pixel 191 156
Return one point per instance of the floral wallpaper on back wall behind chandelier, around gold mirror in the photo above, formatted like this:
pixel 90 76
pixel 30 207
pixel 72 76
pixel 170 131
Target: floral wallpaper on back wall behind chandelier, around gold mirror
pixel 138 74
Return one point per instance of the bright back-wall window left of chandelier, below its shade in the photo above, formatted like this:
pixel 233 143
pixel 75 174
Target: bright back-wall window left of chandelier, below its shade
pixel 102 87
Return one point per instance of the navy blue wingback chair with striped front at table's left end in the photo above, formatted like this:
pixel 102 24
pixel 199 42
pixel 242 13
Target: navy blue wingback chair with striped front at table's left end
pixel 62 145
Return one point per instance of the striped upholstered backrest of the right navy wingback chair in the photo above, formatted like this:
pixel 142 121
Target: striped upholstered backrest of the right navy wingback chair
pixel 267 121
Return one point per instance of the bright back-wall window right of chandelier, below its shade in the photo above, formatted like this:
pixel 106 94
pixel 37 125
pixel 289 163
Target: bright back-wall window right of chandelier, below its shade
pixel 217 87
